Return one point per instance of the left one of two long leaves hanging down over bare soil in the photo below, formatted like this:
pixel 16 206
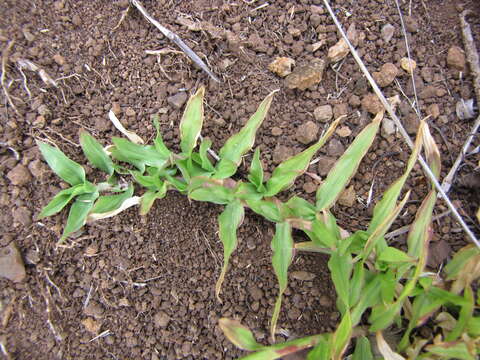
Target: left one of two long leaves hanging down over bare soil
pixel 229 221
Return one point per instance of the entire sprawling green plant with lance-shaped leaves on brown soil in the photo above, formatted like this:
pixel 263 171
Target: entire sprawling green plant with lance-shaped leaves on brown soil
pixel 378 286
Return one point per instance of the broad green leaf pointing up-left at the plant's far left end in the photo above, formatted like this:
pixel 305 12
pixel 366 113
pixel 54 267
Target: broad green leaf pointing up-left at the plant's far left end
pixel 61 165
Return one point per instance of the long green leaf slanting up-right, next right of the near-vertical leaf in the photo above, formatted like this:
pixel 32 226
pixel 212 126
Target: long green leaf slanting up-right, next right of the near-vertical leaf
pixel 238 145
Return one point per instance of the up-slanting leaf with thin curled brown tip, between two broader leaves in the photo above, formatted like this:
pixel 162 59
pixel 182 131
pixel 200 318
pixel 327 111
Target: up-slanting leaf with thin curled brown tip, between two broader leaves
pixel 285 174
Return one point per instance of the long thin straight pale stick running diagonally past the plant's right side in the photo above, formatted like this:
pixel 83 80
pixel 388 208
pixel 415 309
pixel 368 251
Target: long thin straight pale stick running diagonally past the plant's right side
pixel 400 127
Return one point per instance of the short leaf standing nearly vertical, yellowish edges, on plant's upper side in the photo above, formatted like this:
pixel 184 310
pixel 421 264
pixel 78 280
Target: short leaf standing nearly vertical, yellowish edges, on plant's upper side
pixel 192 122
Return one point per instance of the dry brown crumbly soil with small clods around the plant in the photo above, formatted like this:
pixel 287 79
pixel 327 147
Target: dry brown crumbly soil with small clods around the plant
pixel 148 282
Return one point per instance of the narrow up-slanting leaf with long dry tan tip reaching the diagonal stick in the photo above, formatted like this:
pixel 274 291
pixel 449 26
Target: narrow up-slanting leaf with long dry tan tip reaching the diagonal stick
pixel 390 197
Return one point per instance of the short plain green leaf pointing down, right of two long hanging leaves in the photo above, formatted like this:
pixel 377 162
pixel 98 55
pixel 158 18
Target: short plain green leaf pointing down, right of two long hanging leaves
pixel 340 266
